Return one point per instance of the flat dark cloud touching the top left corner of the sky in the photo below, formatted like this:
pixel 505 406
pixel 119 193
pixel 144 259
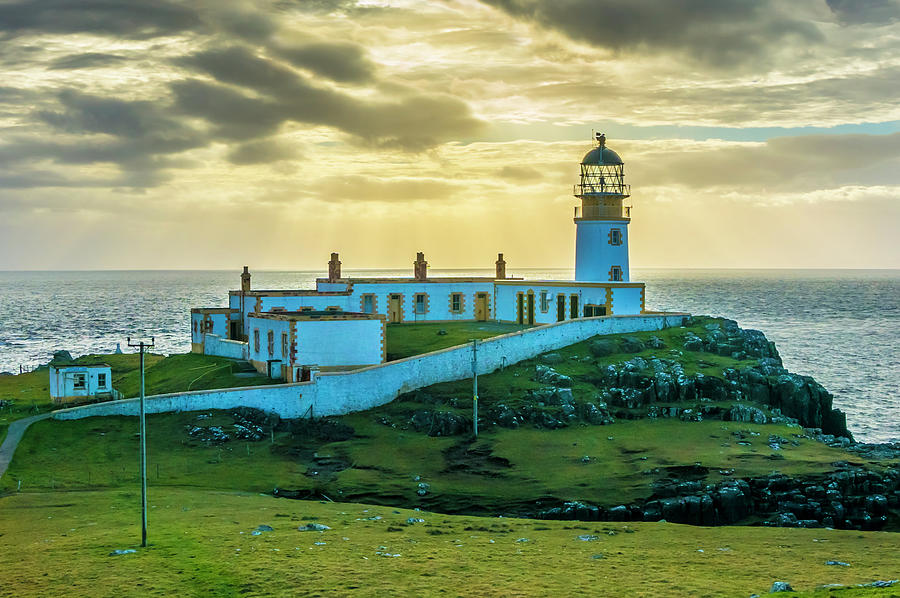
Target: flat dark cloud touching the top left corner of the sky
pixel 111 17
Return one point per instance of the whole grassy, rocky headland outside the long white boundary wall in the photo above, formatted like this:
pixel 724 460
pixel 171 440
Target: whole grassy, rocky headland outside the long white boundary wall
pixel 675 462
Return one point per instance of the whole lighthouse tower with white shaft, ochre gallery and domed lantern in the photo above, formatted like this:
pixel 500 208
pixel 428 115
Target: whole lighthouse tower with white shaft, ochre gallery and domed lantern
pixel 601 222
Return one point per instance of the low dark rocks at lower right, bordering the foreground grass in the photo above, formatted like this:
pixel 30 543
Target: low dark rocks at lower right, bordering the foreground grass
pixel 851 498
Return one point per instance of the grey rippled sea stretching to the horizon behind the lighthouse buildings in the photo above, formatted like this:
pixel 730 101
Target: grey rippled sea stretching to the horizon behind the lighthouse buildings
pixel 841 327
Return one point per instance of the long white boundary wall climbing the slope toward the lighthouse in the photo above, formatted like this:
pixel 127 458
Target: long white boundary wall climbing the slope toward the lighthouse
pixel 337 393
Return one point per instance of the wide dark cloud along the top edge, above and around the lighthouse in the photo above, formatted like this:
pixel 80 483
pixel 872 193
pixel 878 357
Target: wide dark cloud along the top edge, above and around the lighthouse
pixel 720 33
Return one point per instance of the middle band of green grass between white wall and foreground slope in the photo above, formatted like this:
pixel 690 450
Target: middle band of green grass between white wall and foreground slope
pixel 98 453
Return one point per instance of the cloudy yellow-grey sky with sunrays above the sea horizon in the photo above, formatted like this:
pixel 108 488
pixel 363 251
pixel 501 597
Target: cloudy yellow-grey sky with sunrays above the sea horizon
pixel 213 134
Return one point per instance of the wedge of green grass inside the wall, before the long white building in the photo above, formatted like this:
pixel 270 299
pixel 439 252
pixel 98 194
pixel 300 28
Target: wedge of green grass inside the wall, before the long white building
pixel 406 340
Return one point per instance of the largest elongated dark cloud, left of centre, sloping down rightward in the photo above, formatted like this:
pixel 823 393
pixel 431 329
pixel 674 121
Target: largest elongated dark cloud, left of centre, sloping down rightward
pixel 412 122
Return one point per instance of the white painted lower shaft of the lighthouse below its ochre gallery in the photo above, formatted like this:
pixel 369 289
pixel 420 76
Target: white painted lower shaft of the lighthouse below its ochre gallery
pixel 594 256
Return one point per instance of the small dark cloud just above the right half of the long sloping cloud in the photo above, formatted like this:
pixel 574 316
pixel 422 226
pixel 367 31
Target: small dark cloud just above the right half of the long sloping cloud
pixel 341 61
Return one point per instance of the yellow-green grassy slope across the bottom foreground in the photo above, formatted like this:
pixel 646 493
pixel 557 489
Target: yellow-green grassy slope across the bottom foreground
pixel 200 545
